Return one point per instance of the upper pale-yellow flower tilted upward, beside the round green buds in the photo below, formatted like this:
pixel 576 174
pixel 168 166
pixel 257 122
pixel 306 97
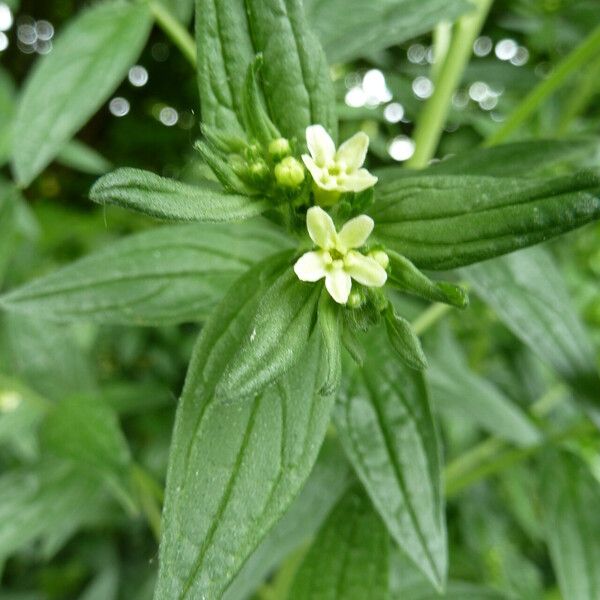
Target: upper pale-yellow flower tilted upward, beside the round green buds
pixel 337 171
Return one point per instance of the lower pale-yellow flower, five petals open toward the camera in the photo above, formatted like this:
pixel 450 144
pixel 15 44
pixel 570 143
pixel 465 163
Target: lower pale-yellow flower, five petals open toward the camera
pixel 336 259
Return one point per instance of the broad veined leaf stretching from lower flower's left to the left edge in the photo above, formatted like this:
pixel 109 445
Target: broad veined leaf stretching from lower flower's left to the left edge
pixel 170 274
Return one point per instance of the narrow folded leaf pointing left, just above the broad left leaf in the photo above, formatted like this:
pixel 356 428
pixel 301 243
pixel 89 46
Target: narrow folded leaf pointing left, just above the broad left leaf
pixel 163 198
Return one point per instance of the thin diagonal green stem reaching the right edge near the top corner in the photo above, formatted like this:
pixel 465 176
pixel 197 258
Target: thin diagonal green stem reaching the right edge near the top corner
pixel 587 50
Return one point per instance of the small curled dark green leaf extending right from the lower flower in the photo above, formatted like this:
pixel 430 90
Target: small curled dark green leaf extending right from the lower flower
pixel 408 279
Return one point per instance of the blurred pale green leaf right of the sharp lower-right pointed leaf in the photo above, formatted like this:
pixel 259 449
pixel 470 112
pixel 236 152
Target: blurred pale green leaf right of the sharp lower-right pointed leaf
pixel 457 390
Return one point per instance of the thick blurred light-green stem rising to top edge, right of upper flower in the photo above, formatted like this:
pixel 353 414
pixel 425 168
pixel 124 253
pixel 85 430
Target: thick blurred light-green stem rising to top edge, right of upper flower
pixel 433 117
